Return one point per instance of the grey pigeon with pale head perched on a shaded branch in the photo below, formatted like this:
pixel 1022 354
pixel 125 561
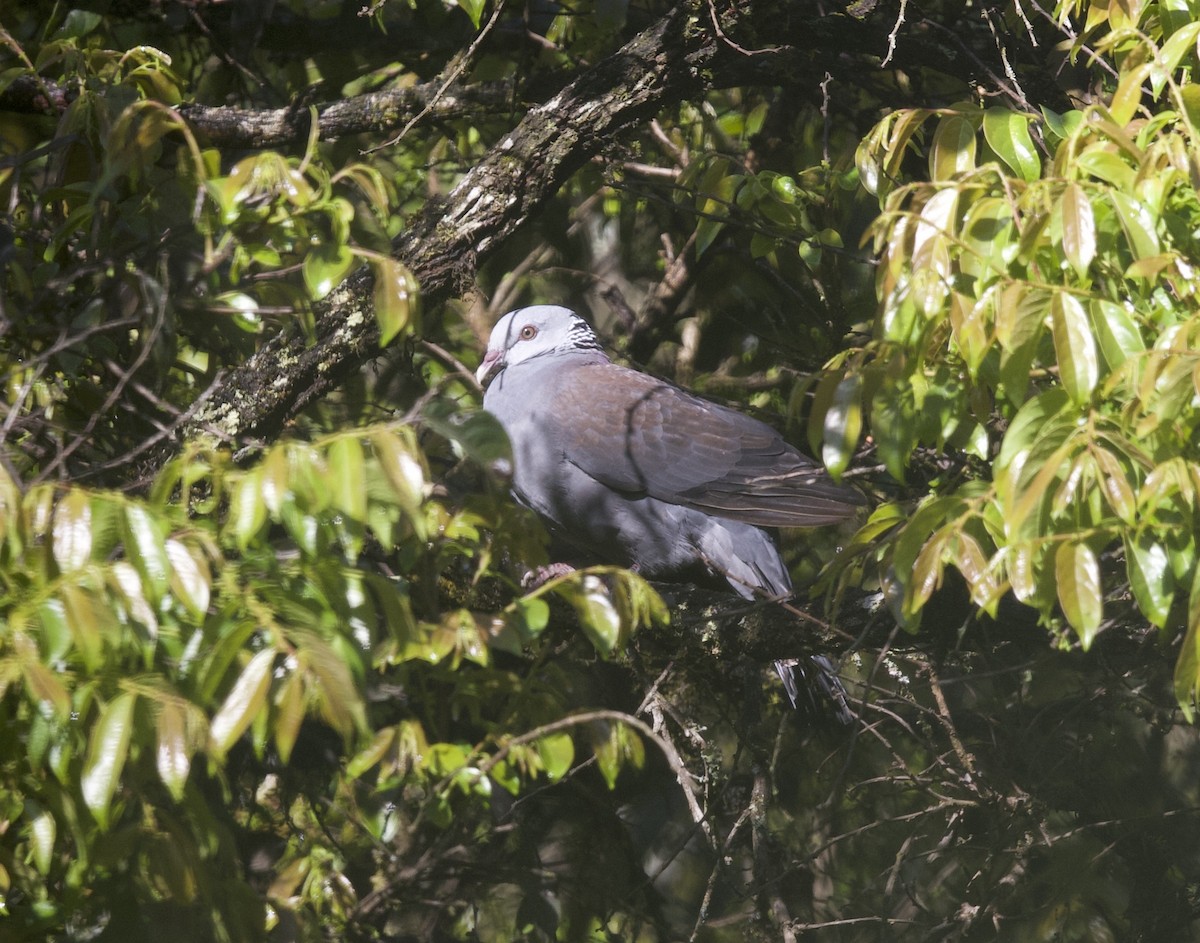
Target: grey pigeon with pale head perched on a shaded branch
pixel 626 469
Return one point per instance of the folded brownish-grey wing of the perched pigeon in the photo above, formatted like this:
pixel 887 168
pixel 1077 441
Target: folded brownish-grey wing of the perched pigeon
pixel 643 436
